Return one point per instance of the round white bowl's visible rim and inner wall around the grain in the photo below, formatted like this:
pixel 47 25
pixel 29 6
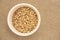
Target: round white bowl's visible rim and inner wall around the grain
pixel 10 14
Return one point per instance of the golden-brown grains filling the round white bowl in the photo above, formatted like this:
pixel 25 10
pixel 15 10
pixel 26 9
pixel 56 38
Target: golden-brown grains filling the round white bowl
pixel 24 19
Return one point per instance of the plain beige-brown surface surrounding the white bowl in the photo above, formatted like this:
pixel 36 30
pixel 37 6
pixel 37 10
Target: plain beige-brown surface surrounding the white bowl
pixel 50 20
